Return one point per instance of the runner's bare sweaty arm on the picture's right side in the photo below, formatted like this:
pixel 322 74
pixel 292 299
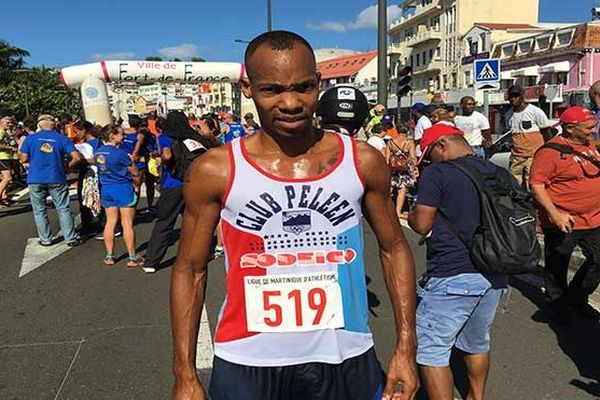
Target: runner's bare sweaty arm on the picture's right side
pixel 398 268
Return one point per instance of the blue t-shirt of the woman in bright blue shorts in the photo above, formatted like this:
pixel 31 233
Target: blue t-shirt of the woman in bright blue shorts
pixel 112 163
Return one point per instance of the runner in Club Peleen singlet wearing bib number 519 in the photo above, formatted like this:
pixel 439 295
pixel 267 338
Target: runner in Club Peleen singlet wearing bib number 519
pixel 294 323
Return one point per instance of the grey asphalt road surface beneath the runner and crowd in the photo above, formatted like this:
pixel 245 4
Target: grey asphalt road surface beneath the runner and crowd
pixel 75 329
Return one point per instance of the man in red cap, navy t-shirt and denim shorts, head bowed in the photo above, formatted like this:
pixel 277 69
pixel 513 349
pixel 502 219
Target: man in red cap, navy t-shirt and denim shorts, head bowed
pixel 457 303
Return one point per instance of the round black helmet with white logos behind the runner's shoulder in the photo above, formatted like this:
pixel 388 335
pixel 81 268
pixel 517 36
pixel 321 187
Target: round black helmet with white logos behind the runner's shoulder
pixel 343 109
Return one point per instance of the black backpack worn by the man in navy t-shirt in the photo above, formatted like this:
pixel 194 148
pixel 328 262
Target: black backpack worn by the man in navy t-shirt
pixel 505 241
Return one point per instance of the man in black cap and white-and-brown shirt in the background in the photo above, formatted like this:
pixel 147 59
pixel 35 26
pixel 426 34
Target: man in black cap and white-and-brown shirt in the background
pixel 528 125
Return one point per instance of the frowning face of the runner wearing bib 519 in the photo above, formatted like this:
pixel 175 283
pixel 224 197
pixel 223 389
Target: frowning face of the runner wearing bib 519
pixel 285 89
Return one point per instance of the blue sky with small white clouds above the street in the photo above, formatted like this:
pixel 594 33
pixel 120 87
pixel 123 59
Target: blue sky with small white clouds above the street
pixel 66 32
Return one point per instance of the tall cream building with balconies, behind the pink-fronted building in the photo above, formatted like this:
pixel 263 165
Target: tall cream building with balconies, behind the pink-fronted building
pixel 428 37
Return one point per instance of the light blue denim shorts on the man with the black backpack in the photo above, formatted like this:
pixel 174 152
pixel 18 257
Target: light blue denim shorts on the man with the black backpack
pixel 456 311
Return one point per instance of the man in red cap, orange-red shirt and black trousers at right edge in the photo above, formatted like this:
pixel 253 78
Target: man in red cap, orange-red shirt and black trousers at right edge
pixel 565 178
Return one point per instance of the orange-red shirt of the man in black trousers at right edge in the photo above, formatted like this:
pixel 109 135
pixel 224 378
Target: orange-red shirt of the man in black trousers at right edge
pixel 572 182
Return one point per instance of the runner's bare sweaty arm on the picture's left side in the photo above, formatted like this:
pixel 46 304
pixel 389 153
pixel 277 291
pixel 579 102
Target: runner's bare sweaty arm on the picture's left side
pixel 188 278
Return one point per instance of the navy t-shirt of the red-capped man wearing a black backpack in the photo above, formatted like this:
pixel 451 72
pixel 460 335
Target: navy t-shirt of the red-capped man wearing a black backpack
pixel 448 189
